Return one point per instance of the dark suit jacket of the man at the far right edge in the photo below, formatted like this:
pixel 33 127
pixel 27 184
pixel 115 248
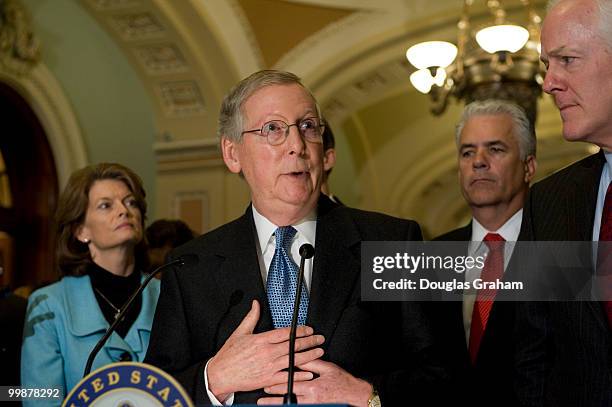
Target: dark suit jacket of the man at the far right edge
pixel 564 350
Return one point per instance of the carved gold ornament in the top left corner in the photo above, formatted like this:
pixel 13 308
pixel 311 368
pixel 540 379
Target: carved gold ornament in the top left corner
pixel 19 47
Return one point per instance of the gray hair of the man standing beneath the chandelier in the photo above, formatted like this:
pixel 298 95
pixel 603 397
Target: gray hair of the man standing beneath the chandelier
pixel 522 127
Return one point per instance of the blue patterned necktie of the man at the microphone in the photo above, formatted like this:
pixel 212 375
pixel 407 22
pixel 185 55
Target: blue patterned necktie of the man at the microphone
pixel 282 282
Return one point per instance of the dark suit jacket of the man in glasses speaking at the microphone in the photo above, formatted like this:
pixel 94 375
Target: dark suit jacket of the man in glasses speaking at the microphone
pixel 386 343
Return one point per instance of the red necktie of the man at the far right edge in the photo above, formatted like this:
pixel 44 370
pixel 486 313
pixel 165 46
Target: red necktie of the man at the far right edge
pixel 603 254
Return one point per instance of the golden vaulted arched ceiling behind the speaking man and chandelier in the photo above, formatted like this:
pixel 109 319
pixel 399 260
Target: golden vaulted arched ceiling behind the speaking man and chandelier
pixel 393 155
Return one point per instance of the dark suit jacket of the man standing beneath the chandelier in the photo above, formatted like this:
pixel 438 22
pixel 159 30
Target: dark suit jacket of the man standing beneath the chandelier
pixel 488 381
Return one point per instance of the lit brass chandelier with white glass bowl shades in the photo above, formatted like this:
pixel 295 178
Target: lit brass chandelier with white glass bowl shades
pixel 499 60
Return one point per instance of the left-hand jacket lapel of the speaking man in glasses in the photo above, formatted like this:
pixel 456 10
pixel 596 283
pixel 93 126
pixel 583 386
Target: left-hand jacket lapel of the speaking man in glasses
pixel 239 277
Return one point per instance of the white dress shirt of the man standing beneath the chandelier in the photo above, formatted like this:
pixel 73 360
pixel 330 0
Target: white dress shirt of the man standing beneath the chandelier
pixel 509 231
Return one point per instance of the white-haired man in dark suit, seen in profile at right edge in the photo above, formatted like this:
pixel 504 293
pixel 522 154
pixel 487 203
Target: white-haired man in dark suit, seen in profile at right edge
pixel 565 351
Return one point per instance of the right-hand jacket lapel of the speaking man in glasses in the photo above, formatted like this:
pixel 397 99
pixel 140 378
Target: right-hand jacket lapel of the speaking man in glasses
pixel 336 267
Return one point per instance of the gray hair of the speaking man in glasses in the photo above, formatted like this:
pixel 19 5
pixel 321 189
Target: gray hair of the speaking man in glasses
pixel 231 116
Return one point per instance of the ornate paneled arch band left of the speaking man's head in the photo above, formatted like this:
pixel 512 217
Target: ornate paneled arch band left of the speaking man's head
pixel 176 54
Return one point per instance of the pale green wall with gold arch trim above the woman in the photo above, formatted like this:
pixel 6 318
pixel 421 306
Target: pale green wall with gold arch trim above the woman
pixel 86 93
